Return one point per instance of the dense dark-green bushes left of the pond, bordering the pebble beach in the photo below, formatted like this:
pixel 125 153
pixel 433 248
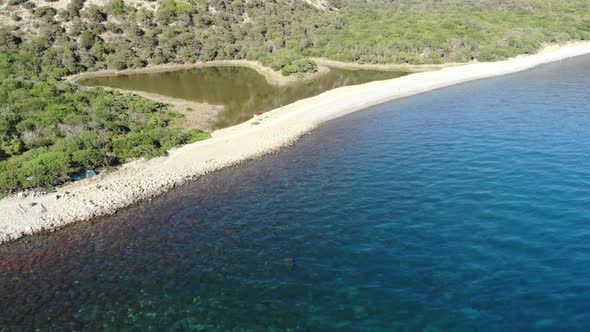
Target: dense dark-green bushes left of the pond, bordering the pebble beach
pixel 51 130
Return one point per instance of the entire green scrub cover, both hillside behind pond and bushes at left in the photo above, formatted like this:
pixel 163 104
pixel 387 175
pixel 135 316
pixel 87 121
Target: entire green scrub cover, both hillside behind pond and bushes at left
pixel 50 130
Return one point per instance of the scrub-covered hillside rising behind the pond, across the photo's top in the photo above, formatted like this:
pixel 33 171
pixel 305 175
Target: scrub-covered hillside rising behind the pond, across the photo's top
pixel 284 34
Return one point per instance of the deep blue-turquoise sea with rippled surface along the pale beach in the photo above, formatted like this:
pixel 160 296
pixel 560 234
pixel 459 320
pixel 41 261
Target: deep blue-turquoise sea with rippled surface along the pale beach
pixel 464 209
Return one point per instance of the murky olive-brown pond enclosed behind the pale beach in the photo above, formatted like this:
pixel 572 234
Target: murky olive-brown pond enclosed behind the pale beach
pixel 242 91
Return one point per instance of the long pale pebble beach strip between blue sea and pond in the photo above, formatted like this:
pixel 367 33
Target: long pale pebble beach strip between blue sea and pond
pixel 140 180
